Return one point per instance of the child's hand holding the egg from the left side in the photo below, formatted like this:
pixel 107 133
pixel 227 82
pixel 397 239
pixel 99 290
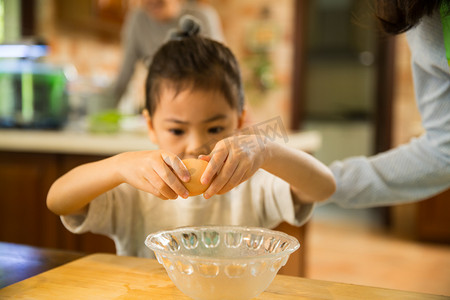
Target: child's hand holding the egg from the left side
pixel 156 172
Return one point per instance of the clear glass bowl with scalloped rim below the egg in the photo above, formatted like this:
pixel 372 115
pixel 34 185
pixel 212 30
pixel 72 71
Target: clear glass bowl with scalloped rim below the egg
pixel 222 262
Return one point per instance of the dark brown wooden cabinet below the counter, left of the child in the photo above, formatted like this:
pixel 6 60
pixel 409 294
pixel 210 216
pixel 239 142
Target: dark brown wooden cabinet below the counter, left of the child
pixel 25 179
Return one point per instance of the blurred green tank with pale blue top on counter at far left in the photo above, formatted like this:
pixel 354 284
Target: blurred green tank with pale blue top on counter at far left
pixel 33 93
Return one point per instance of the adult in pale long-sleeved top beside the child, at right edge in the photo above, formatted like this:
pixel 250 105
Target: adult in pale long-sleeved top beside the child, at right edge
pixel 421 168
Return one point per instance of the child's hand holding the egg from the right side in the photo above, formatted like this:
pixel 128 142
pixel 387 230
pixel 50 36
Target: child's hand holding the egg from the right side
pixel 233 161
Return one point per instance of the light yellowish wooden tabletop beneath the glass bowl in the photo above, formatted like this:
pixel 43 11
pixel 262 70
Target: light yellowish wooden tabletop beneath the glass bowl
pixel 107 276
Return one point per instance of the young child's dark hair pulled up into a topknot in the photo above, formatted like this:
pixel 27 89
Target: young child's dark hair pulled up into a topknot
pixel 190 61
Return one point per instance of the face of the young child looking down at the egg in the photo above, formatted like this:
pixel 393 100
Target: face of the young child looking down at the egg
pixel 192 122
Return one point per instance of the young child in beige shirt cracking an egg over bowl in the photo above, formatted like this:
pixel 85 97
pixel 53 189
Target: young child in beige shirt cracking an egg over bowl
pixel 194 107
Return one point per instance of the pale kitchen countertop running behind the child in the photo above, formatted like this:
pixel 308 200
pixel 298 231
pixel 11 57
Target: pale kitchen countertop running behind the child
pixel 81 142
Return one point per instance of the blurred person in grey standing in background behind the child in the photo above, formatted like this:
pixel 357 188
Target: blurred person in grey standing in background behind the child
pixel 146 28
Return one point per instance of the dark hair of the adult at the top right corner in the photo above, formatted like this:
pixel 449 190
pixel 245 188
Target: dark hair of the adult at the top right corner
pixel 397 16
